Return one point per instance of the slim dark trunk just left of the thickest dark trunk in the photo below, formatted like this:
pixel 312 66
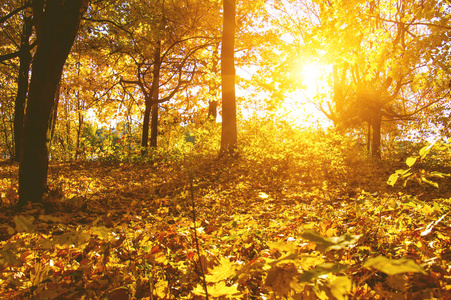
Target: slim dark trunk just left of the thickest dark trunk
pixel 22 85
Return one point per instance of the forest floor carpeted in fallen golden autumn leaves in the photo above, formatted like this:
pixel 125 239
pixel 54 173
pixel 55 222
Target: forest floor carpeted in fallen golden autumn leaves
pixel 126 231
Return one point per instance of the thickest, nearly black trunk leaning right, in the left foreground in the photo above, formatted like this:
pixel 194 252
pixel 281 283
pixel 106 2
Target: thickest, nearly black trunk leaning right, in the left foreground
pixel 56 24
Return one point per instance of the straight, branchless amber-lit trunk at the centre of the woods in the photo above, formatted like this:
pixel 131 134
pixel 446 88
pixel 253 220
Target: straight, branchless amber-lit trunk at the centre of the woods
pixel 229 129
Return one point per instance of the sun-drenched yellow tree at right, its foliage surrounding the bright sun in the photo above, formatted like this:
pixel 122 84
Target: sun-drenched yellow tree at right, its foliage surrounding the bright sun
pixel 381 54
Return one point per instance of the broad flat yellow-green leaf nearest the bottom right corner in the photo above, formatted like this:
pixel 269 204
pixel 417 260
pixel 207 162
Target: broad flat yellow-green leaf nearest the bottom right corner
pixel 392 267
